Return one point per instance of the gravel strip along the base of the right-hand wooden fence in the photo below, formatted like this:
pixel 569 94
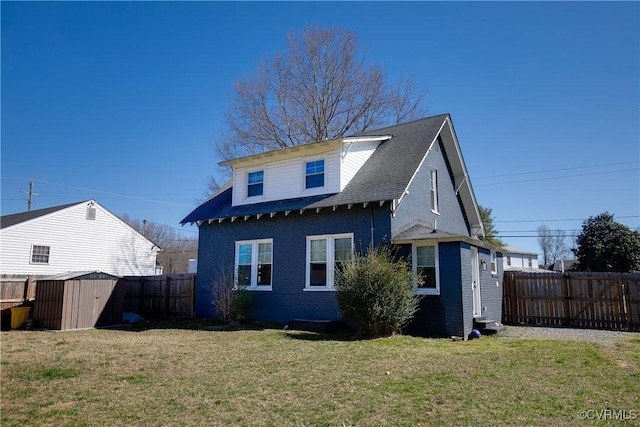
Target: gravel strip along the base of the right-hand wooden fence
pixel 591 335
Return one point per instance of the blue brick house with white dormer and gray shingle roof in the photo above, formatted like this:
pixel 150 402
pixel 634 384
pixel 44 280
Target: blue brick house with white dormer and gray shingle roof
pixel 289 215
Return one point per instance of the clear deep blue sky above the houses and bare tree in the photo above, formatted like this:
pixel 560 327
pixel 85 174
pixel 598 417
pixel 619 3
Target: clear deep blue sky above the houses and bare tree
pixel 122 101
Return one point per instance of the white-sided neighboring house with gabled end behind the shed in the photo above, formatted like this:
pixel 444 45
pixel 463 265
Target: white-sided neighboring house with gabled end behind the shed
pixel 80 236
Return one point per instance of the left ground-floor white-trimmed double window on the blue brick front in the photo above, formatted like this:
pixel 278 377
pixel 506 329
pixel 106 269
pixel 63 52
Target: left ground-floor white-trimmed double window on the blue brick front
pixel 254 264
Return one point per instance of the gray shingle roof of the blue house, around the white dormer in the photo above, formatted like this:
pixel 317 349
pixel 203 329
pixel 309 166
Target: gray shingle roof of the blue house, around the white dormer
pixel 384 176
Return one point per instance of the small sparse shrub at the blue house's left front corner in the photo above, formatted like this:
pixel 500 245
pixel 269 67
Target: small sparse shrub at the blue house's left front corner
pixel 231 303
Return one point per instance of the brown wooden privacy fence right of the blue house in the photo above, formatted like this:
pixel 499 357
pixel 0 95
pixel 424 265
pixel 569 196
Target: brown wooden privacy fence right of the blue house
pixel 585 300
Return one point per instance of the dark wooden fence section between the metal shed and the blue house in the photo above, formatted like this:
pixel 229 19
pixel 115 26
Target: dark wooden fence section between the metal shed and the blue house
pixel 160 296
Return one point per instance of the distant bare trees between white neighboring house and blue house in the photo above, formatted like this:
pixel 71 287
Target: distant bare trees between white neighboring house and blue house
pixel 176 248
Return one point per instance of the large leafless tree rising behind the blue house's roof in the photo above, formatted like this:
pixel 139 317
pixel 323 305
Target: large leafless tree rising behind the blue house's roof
pixel 321 88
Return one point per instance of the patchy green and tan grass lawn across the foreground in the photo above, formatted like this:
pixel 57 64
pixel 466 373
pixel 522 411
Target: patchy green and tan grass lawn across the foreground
pixel 192 373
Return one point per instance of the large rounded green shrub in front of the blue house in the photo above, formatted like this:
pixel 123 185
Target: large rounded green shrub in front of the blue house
pixel 375 292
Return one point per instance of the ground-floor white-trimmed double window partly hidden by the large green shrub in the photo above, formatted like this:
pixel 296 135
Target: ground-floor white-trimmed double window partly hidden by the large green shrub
pixel 322 252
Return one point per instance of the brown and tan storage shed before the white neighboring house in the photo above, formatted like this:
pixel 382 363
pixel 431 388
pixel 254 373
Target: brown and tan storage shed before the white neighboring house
pixel 78 300
